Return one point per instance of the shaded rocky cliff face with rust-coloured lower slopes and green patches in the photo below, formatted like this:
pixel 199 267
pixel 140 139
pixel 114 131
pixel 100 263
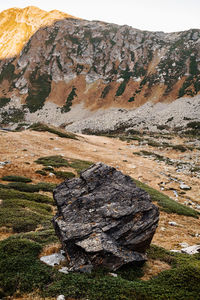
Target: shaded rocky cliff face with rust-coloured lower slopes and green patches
pixel 99 65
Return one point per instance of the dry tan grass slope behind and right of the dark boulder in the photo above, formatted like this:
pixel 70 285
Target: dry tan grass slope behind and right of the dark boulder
pixel 178 179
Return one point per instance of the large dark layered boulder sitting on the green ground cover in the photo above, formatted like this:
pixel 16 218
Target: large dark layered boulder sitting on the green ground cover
pixel 103 219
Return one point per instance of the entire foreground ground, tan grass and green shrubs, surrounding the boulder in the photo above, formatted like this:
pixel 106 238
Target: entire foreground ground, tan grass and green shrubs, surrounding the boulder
pixel 167 163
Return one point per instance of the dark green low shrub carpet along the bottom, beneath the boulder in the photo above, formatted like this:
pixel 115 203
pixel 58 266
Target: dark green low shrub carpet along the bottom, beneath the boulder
pixel 21 270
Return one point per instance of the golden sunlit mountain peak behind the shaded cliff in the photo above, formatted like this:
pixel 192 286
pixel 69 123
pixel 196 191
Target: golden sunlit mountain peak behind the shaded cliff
pixel 17 25
